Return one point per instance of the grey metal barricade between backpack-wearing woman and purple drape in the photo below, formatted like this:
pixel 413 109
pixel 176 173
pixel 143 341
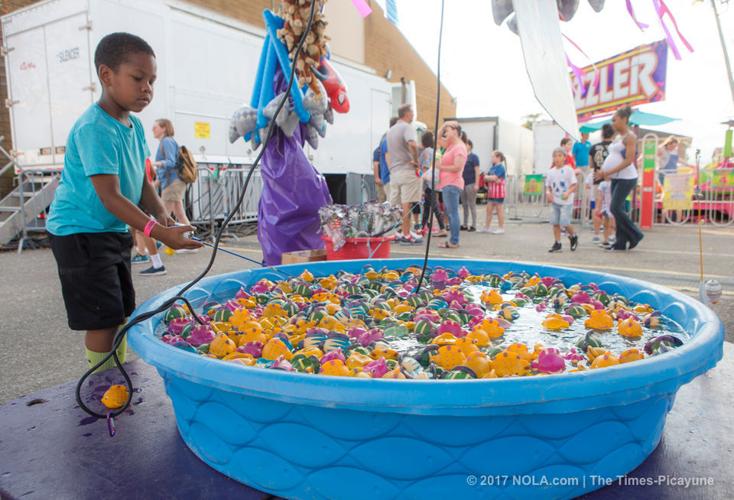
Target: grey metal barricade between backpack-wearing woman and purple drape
pixel 216 190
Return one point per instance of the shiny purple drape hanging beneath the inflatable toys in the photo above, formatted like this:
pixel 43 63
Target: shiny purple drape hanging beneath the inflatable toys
pixel 293 192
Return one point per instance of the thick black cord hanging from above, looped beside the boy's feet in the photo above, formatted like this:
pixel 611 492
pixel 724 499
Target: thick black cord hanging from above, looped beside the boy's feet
pixel 120 335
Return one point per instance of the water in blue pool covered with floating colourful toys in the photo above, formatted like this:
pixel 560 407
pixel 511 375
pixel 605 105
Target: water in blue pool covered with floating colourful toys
pixel 459 325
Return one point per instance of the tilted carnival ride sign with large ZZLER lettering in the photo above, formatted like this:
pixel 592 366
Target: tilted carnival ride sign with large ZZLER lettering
pixel 628 79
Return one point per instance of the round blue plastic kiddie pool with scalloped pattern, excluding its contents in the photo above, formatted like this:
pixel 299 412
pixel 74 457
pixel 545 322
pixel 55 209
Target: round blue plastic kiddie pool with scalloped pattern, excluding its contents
pixel 304 436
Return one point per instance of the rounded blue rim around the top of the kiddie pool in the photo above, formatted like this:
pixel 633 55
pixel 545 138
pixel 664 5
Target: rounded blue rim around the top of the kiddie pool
pixel 561 393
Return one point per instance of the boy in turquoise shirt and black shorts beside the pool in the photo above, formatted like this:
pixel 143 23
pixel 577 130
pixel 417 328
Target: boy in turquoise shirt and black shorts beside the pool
pixel 101 188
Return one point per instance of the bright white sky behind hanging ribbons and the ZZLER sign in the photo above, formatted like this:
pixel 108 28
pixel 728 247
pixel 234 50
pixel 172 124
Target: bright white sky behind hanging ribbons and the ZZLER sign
pixel 483 67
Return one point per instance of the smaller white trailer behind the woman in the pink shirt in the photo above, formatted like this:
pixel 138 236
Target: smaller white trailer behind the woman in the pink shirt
pixel 494 133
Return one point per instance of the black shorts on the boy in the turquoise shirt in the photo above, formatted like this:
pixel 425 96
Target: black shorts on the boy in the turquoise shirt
pixel 96 279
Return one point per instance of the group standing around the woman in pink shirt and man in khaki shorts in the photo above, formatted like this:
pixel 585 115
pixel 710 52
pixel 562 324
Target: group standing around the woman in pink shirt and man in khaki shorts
pixel 433 178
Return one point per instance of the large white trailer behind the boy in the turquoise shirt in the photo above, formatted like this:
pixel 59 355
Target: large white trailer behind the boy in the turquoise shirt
pixel 206 68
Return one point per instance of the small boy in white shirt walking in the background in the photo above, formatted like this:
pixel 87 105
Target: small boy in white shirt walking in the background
pixel 560 188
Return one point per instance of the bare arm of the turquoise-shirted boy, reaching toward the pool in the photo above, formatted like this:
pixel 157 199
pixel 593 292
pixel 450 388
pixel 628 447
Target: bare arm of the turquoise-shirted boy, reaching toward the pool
pixel 107 187
